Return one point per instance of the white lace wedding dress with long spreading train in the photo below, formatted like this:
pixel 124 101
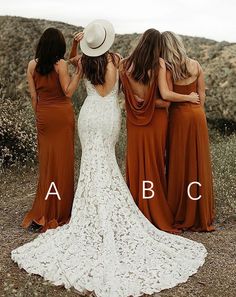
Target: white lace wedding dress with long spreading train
pixel 108 246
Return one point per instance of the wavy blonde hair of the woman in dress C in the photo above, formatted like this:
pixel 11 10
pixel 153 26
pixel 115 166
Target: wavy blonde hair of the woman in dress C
pixel 175 56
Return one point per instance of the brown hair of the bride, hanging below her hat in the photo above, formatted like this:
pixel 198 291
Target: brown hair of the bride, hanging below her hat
pixel 94 68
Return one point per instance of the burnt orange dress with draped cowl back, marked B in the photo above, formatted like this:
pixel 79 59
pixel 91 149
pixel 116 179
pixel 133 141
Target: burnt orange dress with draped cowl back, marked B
pixel 145 157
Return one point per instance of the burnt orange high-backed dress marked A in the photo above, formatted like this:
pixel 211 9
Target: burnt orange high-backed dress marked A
pixel 55 132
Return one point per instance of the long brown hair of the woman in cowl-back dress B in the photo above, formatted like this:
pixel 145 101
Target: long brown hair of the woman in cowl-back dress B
pixel 144 60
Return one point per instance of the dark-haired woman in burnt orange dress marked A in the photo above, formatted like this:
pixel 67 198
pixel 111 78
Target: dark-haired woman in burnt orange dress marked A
pixel 51 88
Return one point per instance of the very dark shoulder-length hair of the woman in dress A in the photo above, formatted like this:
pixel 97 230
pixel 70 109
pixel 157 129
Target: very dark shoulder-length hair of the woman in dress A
pixel 50 49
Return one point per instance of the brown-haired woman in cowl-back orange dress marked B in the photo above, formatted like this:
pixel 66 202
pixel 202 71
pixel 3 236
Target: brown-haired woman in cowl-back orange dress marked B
pixel 147 128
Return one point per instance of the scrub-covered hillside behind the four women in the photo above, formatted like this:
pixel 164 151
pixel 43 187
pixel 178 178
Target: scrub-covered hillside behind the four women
pixel 18 39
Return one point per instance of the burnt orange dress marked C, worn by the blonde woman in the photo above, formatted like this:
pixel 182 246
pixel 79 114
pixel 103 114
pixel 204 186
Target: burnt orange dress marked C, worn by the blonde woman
pixel 189 161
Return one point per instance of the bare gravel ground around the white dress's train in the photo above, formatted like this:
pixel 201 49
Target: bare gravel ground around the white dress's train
pixel 216 278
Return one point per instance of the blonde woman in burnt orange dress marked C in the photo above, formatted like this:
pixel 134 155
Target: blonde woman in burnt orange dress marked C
pixel 188 144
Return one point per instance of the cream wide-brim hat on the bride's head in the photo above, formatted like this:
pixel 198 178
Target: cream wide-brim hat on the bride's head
pixel 99 36
